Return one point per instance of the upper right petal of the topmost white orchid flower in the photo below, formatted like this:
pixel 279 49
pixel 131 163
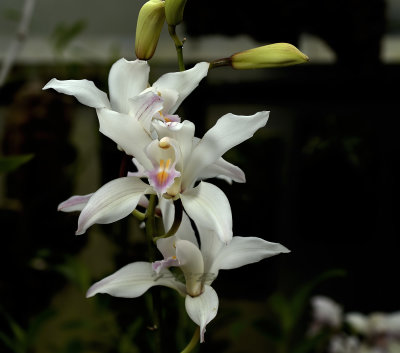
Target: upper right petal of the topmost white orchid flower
pixel 182 82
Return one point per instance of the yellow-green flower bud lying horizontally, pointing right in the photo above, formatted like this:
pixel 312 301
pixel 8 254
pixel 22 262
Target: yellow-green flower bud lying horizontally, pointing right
pixel 273 55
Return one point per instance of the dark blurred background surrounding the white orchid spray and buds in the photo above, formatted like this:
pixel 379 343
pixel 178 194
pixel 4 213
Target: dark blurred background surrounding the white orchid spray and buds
pixel 321 176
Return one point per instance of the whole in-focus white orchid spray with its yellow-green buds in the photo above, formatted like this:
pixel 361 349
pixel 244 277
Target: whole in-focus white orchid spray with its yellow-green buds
pixel 172 165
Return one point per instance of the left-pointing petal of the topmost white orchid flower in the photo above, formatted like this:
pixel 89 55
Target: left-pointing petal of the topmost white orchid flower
pixel 83 90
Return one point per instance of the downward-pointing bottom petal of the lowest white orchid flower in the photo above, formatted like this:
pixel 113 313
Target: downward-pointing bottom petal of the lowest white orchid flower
pixel 203 308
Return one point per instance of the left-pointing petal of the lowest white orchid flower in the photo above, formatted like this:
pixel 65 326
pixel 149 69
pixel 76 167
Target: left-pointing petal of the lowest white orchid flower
pixel 133 280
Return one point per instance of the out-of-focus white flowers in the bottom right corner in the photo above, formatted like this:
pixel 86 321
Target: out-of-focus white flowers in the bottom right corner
pixel 355 332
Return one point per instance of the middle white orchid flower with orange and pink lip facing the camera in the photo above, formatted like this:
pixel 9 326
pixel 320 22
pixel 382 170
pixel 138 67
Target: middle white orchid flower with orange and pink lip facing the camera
pixel 172 164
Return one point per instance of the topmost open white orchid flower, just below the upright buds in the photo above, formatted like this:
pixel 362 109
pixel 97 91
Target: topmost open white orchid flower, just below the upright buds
pixel 131 95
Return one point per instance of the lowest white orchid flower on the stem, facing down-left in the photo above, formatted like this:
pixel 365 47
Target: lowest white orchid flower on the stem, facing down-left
pixel 200 267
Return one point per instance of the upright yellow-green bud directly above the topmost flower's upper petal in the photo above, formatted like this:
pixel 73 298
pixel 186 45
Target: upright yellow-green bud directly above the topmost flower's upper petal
pixel 149 25
